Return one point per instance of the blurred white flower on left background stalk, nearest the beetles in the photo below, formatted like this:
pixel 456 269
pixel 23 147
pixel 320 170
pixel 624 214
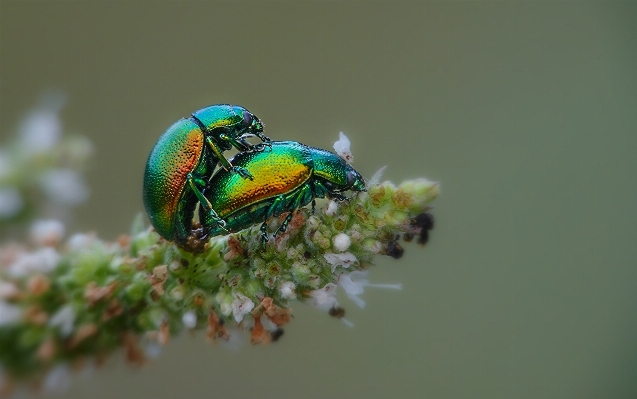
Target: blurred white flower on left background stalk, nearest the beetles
pixel 64 186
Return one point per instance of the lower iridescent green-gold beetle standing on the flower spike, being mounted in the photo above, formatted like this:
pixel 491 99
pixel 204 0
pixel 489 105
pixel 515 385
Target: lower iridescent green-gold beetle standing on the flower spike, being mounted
pixel 287 176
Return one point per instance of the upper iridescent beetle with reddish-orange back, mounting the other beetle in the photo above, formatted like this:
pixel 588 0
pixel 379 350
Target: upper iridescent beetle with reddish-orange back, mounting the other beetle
pixel 182 161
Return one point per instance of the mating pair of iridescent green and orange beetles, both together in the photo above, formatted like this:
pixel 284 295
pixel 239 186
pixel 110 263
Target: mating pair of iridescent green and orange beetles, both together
pixel 260 182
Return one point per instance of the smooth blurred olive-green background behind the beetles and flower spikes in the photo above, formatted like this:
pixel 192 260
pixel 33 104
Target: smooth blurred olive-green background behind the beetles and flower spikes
pixel 524 111
